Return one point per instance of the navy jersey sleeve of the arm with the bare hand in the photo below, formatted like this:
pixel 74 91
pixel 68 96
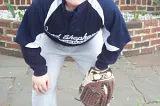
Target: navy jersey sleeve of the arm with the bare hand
pixel 30 27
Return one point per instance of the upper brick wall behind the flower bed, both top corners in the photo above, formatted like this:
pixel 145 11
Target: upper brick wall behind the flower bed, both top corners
pixel 124 5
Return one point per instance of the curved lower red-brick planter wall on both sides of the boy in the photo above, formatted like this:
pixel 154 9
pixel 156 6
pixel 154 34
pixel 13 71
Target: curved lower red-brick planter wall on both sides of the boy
pixel 145 38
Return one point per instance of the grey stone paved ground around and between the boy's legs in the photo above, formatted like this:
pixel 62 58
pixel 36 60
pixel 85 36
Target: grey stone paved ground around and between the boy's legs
pixel 137 80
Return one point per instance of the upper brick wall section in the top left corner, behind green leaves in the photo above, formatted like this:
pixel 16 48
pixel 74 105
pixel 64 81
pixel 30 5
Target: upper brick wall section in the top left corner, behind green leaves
pixel 17 4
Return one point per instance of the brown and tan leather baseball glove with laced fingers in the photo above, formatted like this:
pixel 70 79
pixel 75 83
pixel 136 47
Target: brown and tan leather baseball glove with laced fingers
pixel 97 87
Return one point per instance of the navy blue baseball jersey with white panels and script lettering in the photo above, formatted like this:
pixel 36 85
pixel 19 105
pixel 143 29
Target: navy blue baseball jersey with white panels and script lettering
pixel 63 27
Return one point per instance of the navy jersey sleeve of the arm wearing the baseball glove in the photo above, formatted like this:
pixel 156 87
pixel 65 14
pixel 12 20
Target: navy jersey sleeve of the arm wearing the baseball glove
pixel 115 34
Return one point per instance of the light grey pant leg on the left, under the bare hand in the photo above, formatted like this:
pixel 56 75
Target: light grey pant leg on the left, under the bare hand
pixel 54 60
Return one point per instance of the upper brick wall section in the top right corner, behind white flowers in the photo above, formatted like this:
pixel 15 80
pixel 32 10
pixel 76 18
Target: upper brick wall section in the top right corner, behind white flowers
pixel 146 5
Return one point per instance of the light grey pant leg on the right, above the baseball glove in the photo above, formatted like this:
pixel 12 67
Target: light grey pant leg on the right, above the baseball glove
pixel 86 55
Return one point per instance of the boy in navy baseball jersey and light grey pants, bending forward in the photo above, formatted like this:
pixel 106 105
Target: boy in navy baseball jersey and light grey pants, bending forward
pixel 92 32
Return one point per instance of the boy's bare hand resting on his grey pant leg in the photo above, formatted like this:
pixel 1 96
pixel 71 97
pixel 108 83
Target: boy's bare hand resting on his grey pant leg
pixel 40 83
